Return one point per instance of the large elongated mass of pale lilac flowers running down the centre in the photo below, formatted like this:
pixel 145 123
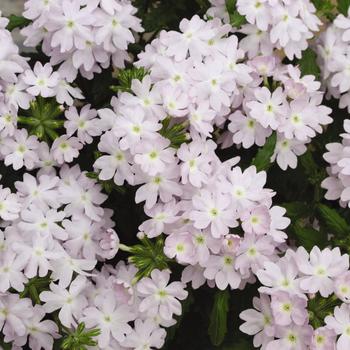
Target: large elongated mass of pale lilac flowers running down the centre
pixel 189 194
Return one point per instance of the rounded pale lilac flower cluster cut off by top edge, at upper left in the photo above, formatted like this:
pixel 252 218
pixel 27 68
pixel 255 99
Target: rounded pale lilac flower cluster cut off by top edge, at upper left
pixel 82 36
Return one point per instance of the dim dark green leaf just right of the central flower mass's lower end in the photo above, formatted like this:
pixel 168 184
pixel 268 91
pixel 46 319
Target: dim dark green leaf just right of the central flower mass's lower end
pixel 308 237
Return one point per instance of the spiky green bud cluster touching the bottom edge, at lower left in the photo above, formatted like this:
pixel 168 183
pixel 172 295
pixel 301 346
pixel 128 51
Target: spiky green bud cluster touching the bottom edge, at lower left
pixel 79 339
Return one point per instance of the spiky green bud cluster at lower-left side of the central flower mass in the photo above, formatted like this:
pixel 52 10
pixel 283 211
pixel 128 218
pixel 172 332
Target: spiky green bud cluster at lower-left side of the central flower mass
pixel 147 256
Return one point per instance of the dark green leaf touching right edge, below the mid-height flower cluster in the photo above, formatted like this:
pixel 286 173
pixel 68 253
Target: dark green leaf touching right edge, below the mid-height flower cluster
pixel 332 219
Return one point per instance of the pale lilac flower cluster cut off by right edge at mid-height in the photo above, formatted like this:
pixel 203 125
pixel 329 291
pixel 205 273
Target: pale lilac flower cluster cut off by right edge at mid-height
pixel 337 184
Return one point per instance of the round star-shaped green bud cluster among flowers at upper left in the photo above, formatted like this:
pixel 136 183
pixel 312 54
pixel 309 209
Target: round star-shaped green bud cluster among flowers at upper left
pixel 43 119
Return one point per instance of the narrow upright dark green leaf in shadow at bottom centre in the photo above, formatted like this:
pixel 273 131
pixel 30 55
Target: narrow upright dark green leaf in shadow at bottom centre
pixel 218 318
